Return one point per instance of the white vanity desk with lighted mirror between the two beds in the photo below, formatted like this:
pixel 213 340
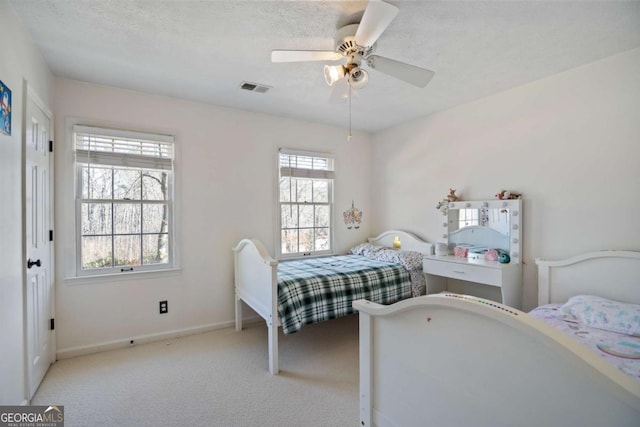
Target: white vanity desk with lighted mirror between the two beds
pixel 498 228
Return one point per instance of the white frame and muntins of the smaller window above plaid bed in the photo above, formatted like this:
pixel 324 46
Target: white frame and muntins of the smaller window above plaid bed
pixel 329 175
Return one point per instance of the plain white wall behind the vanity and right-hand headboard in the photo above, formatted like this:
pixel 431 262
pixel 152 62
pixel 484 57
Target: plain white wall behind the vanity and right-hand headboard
pixel 570 143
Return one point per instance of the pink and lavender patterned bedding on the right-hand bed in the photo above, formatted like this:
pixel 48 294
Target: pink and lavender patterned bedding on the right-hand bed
pixel 622 351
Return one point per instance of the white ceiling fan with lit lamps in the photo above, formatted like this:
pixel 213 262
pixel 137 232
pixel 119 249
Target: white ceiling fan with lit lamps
pixel 355 44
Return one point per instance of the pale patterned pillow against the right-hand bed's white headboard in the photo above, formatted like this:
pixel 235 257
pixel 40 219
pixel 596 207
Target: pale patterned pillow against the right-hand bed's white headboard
pixel 602 313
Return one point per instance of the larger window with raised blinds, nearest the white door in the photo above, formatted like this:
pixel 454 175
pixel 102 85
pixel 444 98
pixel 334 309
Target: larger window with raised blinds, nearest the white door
pixel 124 200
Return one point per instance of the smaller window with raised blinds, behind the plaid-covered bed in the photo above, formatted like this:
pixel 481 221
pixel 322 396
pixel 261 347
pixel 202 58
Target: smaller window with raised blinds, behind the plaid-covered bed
pixel 305 203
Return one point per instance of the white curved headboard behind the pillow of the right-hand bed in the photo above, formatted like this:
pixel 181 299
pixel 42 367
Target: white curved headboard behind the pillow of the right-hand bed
pixel 610 274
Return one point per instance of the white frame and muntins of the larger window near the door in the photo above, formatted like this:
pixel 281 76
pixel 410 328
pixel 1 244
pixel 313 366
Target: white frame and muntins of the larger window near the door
pixel 140 165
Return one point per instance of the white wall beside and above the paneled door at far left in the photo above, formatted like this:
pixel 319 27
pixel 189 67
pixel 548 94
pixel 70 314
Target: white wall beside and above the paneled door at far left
pixel 19 60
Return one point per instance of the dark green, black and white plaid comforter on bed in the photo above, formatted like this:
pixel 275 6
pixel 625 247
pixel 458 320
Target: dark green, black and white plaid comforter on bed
pixel 317 289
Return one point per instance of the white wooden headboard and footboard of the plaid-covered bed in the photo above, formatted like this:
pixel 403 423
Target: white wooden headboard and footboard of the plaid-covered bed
pixel 256 281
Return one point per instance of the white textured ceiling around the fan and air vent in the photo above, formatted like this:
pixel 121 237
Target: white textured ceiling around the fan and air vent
pixel 203 50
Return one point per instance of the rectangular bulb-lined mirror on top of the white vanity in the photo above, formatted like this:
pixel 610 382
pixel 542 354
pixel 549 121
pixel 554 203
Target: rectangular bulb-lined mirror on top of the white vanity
pixel 483 225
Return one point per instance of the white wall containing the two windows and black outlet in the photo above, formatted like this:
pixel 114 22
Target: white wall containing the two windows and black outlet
pixel 226 181
